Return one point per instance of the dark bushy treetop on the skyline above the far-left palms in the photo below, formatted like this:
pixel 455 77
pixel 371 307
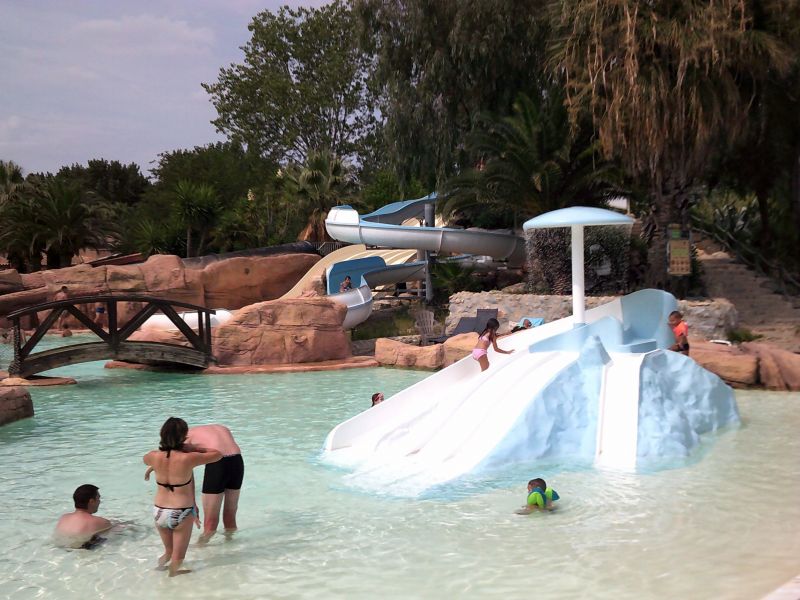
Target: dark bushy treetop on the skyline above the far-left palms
pixel 111 181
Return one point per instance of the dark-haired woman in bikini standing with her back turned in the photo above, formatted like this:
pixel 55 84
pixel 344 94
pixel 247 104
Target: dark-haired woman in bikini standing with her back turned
pixel 175 508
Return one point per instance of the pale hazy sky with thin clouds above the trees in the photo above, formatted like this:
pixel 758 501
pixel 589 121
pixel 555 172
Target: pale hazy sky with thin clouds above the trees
pixel 114 79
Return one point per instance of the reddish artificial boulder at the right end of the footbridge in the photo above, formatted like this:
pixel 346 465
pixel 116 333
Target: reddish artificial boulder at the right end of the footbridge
pixel 297 330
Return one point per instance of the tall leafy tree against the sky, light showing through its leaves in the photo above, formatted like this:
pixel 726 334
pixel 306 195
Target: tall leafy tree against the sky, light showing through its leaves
pixel 302 85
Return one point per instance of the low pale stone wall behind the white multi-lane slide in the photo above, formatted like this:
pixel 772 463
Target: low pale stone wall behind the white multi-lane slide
pixel 708 319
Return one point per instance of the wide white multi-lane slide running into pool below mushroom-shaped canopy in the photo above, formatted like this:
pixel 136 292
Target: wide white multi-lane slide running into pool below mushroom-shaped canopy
pixel 460 418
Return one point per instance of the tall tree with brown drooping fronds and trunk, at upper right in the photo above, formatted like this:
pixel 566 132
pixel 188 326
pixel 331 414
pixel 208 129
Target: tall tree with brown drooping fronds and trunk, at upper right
pixel 664 83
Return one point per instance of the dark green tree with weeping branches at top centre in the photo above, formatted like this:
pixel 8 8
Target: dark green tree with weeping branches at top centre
pixel 439 64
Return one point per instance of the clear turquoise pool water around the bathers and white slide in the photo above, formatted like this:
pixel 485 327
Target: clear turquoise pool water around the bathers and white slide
pixel 724 525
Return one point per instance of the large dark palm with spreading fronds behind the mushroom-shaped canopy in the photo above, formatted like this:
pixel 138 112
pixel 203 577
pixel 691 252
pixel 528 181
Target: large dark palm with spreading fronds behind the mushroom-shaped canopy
pixel 529 162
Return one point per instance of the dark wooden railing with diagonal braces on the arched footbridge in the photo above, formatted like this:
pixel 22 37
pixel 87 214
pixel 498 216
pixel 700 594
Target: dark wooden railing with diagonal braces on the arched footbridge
pixel 116 334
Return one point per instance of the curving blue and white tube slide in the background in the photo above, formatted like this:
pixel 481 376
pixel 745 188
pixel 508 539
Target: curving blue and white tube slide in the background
pixel 385 228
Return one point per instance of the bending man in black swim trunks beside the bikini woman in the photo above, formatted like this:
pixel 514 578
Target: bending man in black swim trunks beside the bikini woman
pixel 222 480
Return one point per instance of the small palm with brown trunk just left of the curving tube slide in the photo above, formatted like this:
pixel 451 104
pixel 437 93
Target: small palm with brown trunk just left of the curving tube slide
pixel 320 184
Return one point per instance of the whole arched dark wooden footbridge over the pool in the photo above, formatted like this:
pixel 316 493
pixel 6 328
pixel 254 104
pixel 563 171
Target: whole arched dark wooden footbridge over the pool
pixel 113 344
